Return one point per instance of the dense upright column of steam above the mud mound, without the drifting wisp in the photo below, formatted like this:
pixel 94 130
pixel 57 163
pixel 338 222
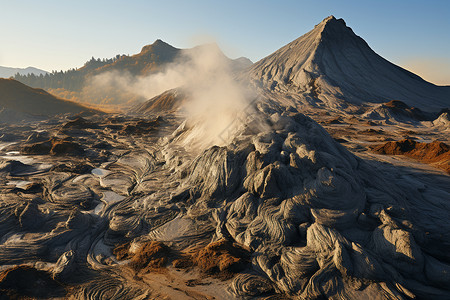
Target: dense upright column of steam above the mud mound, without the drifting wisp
pixel 218 104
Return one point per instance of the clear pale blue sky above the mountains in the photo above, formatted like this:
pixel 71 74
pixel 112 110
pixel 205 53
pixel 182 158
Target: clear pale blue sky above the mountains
pixel 55 35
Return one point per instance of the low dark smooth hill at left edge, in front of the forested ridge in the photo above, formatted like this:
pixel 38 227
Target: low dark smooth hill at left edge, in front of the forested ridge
pixel 19 102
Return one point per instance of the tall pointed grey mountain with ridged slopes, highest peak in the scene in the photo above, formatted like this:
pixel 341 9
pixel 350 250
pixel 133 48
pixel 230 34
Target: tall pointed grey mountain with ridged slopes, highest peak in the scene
pixel 332 65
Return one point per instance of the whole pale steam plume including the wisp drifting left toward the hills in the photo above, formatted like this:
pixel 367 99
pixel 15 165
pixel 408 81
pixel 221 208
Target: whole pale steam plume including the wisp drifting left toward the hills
pixel 217 104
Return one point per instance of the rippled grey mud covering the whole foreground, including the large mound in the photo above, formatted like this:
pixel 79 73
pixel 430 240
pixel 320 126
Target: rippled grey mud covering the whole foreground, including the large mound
pixel 282 211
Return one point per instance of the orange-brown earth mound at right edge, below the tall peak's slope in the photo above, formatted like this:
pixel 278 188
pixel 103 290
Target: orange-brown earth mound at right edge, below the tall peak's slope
pixel 436 153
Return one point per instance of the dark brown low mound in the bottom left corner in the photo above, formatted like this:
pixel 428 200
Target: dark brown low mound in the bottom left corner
pixel 24 282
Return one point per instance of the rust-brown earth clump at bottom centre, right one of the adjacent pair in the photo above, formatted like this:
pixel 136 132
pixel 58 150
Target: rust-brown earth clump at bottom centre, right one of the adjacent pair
pixel 222 258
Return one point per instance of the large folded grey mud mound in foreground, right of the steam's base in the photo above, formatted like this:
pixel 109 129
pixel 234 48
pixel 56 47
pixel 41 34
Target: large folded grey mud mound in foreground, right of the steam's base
pixel 317 219
